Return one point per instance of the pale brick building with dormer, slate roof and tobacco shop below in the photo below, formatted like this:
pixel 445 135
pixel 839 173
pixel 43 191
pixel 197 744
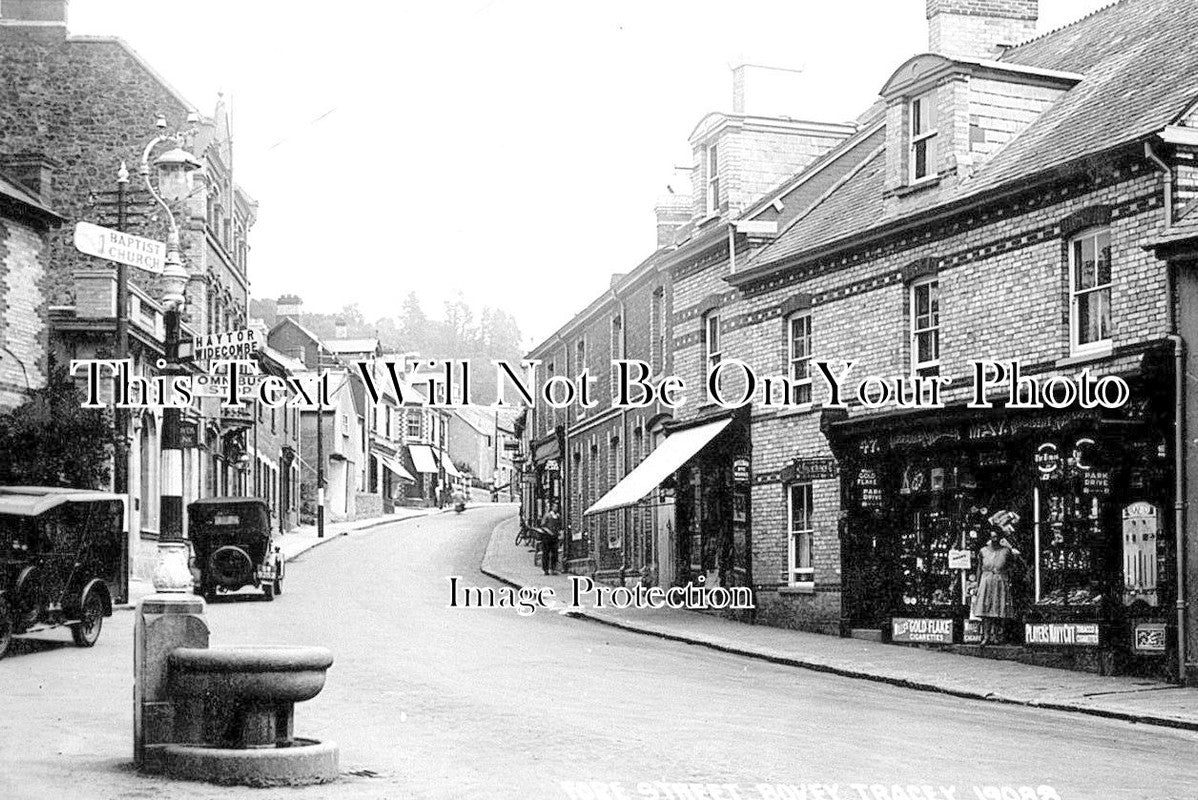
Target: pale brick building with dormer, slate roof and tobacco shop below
pixel 981 231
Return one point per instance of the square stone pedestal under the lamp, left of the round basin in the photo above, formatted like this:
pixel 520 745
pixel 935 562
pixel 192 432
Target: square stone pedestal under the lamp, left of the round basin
pixel 165 622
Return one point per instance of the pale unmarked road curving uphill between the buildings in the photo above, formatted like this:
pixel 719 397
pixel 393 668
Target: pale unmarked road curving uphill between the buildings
pixel 433 702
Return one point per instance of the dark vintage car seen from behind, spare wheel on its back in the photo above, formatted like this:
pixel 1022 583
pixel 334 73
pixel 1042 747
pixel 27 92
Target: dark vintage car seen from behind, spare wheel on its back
pixel 234 548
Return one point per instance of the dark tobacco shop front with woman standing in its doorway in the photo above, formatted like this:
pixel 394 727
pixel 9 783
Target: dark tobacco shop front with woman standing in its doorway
pixel 1076 498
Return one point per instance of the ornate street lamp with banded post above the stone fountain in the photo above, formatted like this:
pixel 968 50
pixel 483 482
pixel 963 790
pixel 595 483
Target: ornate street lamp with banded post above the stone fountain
pixel 176 169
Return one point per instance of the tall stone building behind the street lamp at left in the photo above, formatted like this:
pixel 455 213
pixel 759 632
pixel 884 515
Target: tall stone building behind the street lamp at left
pixel 75 110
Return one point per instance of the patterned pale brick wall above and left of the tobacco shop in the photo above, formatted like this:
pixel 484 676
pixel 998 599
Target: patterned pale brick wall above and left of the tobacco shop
pixel 1003 295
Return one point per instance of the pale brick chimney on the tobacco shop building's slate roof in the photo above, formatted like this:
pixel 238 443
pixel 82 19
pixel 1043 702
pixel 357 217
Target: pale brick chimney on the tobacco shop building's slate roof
pixel 979 29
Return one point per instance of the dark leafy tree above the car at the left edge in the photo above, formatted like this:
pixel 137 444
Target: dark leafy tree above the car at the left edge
pixel 52 440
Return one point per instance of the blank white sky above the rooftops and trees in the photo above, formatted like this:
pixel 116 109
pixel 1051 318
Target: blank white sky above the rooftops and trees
pixel 511 151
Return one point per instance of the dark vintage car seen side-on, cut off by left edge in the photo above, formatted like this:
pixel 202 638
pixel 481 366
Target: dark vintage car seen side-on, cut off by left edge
pixel 60 561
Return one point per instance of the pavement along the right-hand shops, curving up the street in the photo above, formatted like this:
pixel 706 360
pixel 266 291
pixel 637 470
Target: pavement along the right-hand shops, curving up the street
pixel 1135 700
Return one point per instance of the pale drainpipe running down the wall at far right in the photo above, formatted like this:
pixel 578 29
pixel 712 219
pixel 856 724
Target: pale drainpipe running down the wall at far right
pixel 1179 405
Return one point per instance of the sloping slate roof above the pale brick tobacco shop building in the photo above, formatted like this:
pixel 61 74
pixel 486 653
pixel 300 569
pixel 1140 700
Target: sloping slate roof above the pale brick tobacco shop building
pixel 1140 62
